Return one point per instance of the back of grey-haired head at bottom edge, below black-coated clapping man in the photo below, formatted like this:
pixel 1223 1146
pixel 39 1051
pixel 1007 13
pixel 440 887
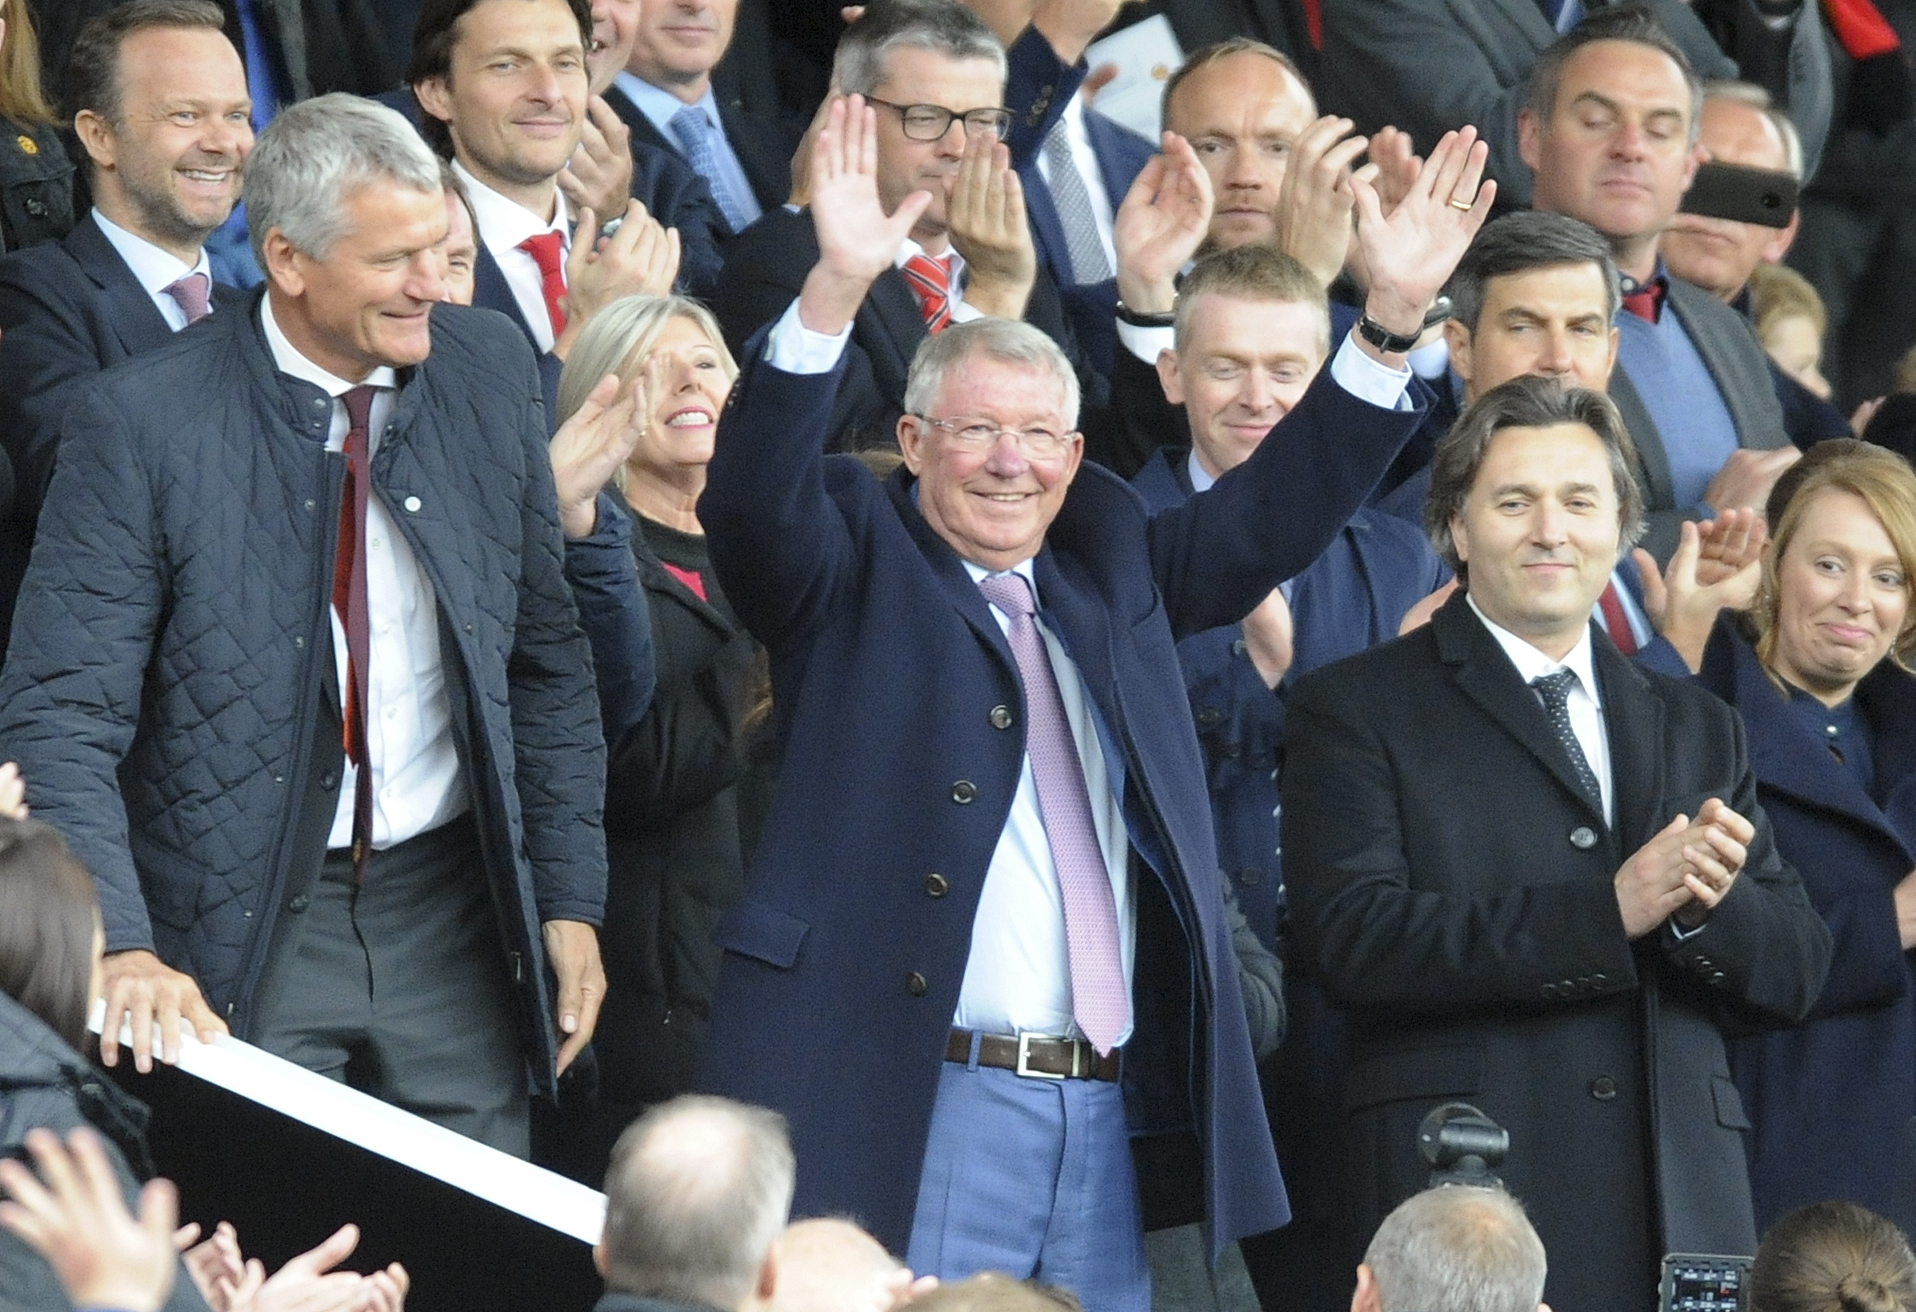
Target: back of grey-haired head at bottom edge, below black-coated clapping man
pixel 1453 1250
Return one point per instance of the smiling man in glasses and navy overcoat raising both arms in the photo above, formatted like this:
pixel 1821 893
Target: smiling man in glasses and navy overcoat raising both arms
pixel 1013 874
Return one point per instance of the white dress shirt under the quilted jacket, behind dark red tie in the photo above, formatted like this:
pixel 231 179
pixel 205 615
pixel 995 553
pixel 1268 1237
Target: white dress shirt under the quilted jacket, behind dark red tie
pixel 417 780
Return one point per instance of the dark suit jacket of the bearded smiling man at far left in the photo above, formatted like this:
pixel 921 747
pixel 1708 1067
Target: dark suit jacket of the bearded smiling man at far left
pixel 68 311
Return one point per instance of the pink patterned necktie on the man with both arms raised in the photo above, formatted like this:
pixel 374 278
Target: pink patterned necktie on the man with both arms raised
pixel 1099 999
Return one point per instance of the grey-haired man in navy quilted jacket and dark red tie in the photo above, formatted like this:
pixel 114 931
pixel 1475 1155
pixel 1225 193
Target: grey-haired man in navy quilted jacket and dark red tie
pixel 298 667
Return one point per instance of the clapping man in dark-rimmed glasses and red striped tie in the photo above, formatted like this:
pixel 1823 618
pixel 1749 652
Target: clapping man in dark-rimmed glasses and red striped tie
pixel 972 250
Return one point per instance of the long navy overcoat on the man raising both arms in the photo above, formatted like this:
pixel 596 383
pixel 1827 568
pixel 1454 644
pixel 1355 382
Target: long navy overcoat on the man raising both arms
pixel 890 690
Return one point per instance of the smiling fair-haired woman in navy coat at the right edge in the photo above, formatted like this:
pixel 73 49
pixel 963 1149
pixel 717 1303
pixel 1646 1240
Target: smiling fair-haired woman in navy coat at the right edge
pixel 1819 671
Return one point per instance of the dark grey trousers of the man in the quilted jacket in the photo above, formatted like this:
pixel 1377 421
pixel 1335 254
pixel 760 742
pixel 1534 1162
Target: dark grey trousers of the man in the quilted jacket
pixel 399 989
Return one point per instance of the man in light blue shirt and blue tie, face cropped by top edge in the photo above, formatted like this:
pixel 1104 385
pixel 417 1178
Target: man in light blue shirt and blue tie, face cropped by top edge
pixel 666 99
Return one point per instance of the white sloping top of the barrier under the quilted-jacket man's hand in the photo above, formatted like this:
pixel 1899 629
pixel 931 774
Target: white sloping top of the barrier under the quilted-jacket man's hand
pixel 401 1137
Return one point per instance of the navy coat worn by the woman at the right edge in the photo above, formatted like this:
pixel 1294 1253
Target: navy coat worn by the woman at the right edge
pixel 1833 1100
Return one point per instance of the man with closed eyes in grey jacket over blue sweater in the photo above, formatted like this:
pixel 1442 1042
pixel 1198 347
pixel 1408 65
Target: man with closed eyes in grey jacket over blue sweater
pixel 1610 133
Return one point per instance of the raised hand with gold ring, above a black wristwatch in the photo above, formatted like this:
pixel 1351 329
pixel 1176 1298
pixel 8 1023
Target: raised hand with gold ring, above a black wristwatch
pixel 1413 252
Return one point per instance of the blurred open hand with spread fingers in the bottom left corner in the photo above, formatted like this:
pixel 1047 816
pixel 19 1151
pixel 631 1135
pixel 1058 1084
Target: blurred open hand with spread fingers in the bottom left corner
pixel 76 1217
